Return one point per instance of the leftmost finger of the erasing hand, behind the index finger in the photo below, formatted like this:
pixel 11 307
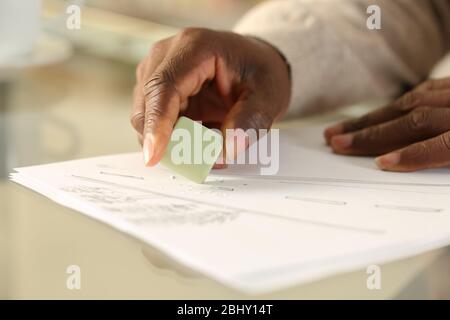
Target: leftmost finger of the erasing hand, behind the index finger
pixel 146 67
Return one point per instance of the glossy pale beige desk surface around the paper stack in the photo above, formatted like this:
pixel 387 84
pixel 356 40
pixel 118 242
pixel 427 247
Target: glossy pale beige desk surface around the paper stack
pixel 80 109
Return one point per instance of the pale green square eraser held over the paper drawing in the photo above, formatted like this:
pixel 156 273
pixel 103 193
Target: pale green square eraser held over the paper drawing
pixel 192 150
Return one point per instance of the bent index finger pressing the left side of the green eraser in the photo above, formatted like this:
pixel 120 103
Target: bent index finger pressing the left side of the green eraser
pixel 180 75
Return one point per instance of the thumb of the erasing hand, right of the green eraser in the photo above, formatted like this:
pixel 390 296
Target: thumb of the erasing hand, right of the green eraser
pixel 243 123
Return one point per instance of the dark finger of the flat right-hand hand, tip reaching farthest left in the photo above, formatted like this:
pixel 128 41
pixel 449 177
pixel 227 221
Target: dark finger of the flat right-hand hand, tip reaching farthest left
pixel 373 118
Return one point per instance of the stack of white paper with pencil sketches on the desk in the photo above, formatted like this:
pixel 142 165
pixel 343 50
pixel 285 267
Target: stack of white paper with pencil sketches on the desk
pixel 322 214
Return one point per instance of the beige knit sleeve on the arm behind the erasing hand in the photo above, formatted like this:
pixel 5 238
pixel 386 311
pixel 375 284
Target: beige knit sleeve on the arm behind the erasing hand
pixel 337 60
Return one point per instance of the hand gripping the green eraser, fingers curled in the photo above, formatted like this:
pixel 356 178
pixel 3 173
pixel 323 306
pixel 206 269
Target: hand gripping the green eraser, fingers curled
pixel 226 80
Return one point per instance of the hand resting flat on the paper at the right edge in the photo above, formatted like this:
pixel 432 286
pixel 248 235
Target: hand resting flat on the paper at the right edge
pixel 412 133
